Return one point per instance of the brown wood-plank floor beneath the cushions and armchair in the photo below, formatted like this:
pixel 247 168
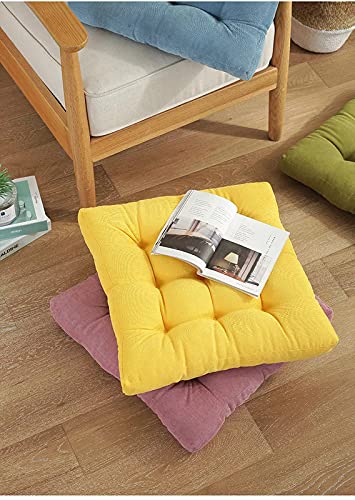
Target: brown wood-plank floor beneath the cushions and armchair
pixel 65 427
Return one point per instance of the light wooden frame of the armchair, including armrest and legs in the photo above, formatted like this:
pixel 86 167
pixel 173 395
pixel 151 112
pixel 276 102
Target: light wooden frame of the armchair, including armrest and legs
pixel 70 126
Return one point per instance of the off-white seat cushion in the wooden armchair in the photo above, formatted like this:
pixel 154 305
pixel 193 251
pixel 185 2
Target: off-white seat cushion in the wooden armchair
pixel 124 81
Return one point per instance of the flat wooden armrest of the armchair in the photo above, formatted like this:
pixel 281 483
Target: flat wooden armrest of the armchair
pixel 62 24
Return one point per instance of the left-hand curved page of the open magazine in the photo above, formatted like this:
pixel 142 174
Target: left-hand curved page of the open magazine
pixel 195 228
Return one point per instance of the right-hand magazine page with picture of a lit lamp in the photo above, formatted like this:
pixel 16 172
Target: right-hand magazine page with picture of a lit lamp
pixel 246 255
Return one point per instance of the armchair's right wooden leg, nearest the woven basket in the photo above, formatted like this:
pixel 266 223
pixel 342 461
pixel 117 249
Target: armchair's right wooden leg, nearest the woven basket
pixel 280 59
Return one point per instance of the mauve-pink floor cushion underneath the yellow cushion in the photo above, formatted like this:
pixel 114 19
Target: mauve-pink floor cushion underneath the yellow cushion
pixel 193 411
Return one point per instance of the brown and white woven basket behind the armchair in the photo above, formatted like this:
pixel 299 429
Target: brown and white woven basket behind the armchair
pixel 322 26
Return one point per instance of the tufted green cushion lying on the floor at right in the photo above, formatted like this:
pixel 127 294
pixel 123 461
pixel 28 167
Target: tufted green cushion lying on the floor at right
pixel 325 159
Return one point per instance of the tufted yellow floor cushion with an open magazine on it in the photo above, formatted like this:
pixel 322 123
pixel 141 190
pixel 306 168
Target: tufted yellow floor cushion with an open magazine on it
pixel 172 325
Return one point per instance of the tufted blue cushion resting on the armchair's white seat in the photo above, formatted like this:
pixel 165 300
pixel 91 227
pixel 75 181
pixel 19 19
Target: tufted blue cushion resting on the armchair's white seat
pixel 228 36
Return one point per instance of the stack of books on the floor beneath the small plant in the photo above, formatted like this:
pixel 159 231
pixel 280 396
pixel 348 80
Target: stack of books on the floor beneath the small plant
pixel 31 223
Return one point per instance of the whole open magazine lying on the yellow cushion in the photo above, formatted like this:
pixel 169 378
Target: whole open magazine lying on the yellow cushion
pixel 205 230
